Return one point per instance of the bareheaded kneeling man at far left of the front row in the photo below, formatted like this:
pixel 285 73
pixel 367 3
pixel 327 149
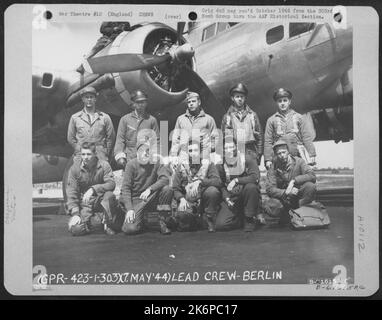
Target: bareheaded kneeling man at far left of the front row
pixel 91 201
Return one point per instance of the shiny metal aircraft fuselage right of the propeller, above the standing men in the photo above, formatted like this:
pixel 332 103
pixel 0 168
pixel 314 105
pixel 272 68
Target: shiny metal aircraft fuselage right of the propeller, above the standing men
pixel 310 64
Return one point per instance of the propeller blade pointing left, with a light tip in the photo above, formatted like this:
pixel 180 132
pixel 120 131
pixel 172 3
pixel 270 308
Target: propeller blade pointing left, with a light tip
pixel 123 62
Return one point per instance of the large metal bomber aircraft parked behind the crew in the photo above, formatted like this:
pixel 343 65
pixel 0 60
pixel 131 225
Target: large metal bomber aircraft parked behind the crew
pixel 312 60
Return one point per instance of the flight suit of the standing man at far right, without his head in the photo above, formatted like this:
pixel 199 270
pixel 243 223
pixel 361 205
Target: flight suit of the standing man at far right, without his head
pixel 290 127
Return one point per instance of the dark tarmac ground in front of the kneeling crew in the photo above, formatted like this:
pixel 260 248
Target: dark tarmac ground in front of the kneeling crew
pixel 271 254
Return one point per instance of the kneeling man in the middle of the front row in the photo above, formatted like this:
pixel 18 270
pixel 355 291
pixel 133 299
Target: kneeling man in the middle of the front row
pixel 196 188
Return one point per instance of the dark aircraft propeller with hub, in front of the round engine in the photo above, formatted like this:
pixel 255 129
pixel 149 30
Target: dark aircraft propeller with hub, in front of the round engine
pixel 170 69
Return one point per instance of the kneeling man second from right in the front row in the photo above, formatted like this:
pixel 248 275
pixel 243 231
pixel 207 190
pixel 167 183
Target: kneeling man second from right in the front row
pixel 241 192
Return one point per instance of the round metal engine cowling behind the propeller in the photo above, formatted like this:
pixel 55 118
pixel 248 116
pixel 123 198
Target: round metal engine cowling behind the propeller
pixel 115 97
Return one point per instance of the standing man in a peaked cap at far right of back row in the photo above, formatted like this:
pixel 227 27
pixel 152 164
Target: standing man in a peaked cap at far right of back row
pixel 290 126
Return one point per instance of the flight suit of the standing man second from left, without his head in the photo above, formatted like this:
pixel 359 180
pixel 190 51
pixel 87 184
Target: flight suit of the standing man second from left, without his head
pixel 127 135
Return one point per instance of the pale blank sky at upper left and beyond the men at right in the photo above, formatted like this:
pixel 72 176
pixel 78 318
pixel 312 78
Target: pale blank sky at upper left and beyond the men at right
pixel 62 47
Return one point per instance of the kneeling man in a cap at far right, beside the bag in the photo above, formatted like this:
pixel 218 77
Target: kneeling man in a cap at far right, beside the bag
pixel 290 183
